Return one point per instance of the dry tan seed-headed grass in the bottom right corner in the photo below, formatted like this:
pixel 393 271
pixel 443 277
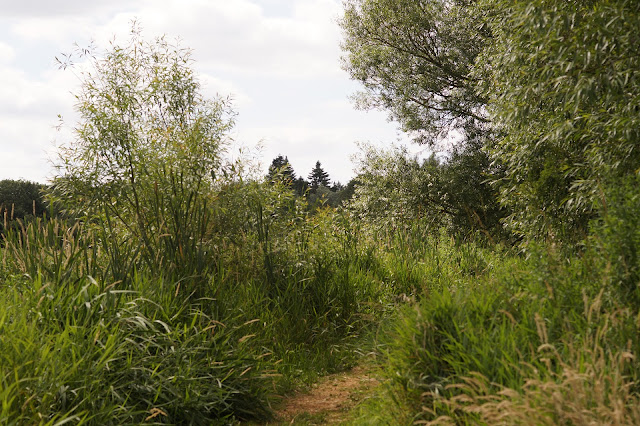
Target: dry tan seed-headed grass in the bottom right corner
pixel 588 387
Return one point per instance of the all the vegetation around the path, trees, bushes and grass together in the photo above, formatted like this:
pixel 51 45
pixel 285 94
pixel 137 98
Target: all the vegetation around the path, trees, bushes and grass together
pixel 496 281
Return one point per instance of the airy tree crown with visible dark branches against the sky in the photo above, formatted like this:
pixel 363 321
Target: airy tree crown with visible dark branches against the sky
pixel 414 59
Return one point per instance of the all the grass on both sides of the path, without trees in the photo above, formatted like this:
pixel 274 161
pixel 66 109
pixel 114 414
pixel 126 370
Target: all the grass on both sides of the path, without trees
pixel 253 302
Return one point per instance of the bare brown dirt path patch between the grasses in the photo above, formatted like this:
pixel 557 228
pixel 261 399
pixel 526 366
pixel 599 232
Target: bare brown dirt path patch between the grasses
pixel 328 401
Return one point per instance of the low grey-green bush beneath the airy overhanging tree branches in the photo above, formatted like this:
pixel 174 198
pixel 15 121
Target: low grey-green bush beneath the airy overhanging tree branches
pixel 395 189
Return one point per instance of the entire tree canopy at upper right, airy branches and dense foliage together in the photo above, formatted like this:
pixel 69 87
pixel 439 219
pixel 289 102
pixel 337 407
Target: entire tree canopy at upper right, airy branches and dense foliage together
pixel 550 89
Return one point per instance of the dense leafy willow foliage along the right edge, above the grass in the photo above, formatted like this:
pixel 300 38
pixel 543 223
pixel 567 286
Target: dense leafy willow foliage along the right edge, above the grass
pixel 562 83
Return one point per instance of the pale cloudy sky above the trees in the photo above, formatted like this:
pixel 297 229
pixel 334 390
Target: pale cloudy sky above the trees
pixel 279 60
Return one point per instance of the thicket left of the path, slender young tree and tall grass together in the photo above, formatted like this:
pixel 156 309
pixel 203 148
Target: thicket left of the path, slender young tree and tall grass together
pixel 173 286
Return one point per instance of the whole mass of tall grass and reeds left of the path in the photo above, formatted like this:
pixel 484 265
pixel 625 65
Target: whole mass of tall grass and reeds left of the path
pixel 255 300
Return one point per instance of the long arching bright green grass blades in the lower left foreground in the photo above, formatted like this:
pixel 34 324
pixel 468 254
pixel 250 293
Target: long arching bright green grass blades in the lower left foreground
pixel 98 354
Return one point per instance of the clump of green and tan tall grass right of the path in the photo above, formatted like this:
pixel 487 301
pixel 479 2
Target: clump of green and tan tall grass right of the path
pixel 547 334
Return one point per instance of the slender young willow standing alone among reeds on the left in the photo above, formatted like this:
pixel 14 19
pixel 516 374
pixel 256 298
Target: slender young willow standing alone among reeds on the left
pixel 146 147
